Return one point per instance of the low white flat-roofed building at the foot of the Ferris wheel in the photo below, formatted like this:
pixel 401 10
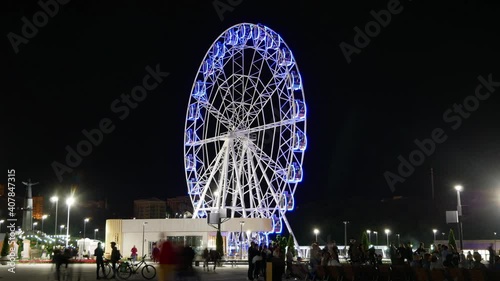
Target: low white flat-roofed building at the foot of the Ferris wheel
pixel 197 233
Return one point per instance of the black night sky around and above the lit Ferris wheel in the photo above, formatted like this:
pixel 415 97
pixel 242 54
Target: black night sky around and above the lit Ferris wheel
pixel 361 115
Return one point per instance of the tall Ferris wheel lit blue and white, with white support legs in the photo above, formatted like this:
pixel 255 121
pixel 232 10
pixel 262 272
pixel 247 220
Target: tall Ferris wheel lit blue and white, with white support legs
pixel 245 128
